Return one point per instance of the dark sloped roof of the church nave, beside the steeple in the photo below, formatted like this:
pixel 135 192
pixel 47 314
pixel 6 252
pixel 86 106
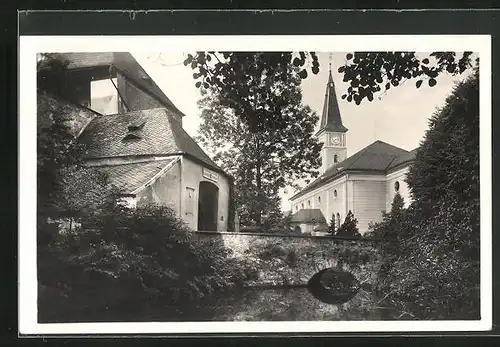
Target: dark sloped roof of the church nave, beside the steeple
pixel 376 157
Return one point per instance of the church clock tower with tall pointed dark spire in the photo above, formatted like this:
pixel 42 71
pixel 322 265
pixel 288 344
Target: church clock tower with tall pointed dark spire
pixel 332 133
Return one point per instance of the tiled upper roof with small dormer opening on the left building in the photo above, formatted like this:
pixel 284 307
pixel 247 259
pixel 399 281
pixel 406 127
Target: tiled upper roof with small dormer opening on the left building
pixel 161 135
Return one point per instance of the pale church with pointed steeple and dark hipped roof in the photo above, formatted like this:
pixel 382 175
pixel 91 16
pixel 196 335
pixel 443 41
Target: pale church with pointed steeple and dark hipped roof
pixel 364 183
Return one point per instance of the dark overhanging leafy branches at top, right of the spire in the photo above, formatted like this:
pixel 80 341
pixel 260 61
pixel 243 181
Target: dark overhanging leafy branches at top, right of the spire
pixel 373 72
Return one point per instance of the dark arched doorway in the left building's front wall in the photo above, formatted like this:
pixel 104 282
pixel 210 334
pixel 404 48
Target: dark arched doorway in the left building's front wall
pixel 208 203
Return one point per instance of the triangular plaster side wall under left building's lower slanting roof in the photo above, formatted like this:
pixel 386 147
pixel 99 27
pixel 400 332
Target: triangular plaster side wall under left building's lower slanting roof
pixel 165 190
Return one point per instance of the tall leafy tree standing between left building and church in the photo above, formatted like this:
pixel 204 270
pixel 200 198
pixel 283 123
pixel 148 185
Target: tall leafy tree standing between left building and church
pixel 263 157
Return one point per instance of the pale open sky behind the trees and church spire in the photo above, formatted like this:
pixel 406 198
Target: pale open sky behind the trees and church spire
pixel 398 117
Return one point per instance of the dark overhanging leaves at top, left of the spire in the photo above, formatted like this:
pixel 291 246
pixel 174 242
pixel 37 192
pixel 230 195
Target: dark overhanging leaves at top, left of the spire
pixel 232 75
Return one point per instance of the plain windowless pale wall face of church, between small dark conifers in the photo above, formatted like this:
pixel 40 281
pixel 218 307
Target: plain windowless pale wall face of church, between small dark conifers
pixel 369 194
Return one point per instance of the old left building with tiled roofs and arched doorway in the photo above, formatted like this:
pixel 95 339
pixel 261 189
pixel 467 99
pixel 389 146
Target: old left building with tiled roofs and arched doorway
pixel 133 132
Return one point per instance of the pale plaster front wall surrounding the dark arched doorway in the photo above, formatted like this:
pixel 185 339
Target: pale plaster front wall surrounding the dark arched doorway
pixel 192 175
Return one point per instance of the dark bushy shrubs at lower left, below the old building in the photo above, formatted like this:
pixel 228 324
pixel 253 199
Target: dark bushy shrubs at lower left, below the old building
pixel 131 258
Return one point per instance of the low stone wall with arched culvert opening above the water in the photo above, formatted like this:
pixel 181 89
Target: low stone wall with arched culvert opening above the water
pixel 291 260
